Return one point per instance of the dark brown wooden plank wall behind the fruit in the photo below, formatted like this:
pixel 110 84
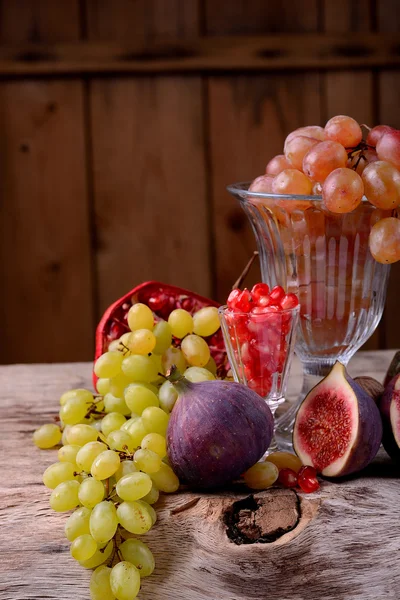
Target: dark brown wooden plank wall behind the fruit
pixel 122 121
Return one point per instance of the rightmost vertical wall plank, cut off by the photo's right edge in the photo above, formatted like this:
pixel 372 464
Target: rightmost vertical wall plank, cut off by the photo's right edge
pixel 389 100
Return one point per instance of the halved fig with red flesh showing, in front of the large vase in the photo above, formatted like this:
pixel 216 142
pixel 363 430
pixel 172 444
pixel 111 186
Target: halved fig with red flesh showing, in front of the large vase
pixel 338 428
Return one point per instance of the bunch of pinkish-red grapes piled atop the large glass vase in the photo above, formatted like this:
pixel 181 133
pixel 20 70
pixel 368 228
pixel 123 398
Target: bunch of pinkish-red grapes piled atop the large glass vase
pixel 336 162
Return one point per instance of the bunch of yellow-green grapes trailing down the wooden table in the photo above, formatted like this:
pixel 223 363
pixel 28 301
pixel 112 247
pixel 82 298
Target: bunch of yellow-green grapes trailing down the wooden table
pixel 112 462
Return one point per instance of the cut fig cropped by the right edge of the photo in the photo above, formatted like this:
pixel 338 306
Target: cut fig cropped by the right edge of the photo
pixel 390 411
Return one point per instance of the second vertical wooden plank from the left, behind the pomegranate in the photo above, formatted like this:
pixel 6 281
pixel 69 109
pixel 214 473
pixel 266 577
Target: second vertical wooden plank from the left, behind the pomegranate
pixel 149 170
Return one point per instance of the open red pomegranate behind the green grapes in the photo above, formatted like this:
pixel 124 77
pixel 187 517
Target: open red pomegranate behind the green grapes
pixel 162 298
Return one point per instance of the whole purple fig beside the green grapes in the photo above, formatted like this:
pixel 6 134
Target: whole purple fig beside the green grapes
pixel 217 430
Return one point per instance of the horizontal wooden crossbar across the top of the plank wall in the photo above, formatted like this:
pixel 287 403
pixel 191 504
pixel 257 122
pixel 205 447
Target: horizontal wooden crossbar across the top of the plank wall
pixel 203 54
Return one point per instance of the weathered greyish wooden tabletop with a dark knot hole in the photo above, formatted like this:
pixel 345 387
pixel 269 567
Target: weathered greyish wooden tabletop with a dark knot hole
pixel 345 544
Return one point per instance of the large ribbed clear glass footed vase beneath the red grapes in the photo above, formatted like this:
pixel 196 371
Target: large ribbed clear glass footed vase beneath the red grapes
pixel 324 259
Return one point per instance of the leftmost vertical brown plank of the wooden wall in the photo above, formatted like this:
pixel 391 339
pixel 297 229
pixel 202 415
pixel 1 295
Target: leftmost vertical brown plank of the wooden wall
pixel 45 260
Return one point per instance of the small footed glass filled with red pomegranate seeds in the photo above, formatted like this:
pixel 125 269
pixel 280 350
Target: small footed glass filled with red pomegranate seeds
pixel 260 349
